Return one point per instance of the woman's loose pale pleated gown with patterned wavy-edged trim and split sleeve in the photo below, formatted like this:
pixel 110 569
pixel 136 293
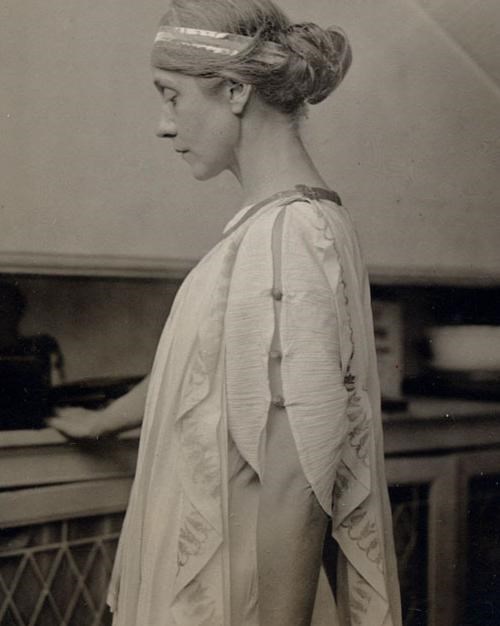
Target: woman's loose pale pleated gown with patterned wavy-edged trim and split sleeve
pixel 206 415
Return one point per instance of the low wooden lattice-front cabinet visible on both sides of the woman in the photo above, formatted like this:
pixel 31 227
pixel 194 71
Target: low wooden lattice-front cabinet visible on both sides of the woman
pixel 445 493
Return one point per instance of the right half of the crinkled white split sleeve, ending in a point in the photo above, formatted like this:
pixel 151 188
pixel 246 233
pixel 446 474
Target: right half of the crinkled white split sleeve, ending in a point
pixel 308 333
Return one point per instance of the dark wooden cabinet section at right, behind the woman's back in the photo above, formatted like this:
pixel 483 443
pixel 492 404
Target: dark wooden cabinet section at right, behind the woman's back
pixel 446 508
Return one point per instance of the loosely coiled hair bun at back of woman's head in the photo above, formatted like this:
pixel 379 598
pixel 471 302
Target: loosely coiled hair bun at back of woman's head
pixel 319 61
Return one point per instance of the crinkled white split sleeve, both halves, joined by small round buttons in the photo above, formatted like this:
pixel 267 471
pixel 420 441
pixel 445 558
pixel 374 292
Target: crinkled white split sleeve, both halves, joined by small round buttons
pixel 282 341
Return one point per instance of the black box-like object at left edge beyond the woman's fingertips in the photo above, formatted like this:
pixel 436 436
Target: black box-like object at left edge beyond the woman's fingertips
pixel 24 392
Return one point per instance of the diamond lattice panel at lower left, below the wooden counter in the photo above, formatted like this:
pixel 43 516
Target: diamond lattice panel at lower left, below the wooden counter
pixel 57 573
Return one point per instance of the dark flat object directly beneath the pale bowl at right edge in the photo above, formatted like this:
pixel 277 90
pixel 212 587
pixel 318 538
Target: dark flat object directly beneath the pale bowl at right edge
pixel 473 385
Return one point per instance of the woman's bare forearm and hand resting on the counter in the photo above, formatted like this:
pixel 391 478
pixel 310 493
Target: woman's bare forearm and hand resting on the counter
pixel 125 413
